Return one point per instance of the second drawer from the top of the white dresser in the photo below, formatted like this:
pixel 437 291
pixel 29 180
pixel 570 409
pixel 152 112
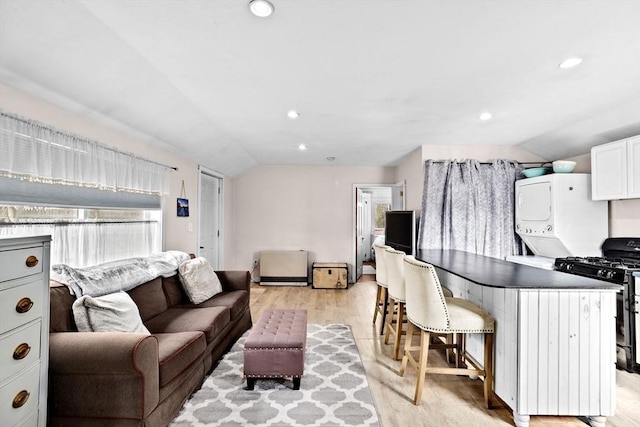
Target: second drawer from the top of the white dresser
pixel 20 305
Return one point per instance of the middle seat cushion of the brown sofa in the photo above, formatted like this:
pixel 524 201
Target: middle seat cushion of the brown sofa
pixel 210 320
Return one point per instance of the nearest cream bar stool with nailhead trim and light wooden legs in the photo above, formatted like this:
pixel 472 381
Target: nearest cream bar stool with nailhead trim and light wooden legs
pixel 431 312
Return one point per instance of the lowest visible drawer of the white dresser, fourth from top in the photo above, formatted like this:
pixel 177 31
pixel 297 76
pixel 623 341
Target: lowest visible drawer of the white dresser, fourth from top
pixel 19 397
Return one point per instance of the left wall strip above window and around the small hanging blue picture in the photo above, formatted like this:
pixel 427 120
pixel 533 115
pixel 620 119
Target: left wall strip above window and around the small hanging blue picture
pixel 176 236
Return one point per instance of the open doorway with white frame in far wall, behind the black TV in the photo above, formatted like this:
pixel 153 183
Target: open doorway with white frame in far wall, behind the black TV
pixel 370 201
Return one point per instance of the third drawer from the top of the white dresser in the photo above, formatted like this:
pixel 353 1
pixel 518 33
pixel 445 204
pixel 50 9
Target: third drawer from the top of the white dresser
pixel 19 348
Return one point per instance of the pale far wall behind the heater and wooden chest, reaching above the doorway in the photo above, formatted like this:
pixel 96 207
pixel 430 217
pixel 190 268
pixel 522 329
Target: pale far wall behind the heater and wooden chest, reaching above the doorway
pixel 297 208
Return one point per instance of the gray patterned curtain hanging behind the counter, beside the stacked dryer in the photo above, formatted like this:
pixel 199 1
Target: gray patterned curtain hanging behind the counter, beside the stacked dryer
pixel 470 206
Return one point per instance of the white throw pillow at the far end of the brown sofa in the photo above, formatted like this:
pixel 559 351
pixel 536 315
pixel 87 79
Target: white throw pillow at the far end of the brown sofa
pixel 199 280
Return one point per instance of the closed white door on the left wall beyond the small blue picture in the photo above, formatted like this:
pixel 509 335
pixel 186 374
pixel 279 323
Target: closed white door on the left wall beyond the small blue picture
pixel 210 218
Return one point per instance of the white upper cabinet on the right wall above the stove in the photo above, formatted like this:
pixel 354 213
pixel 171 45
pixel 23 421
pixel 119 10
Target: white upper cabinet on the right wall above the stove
pixel 615 170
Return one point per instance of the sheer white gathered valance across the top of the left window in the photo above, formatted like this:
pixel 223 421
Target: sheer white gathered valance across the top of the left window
pixel 37 152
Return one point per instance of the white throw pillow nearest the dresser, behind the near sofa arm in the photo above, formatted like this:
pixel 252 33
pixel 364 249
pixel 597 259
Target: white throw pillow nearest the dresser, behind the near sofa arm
pixel 114 312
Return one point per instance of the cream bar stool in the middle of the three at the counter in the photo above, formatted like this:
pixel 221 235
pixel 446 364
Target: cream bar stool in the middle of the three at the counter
pixel 394 260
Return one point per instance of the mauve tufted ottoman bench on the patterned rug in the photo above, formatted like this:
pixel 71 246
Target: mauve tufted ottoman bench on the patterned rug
pixel 275 346
